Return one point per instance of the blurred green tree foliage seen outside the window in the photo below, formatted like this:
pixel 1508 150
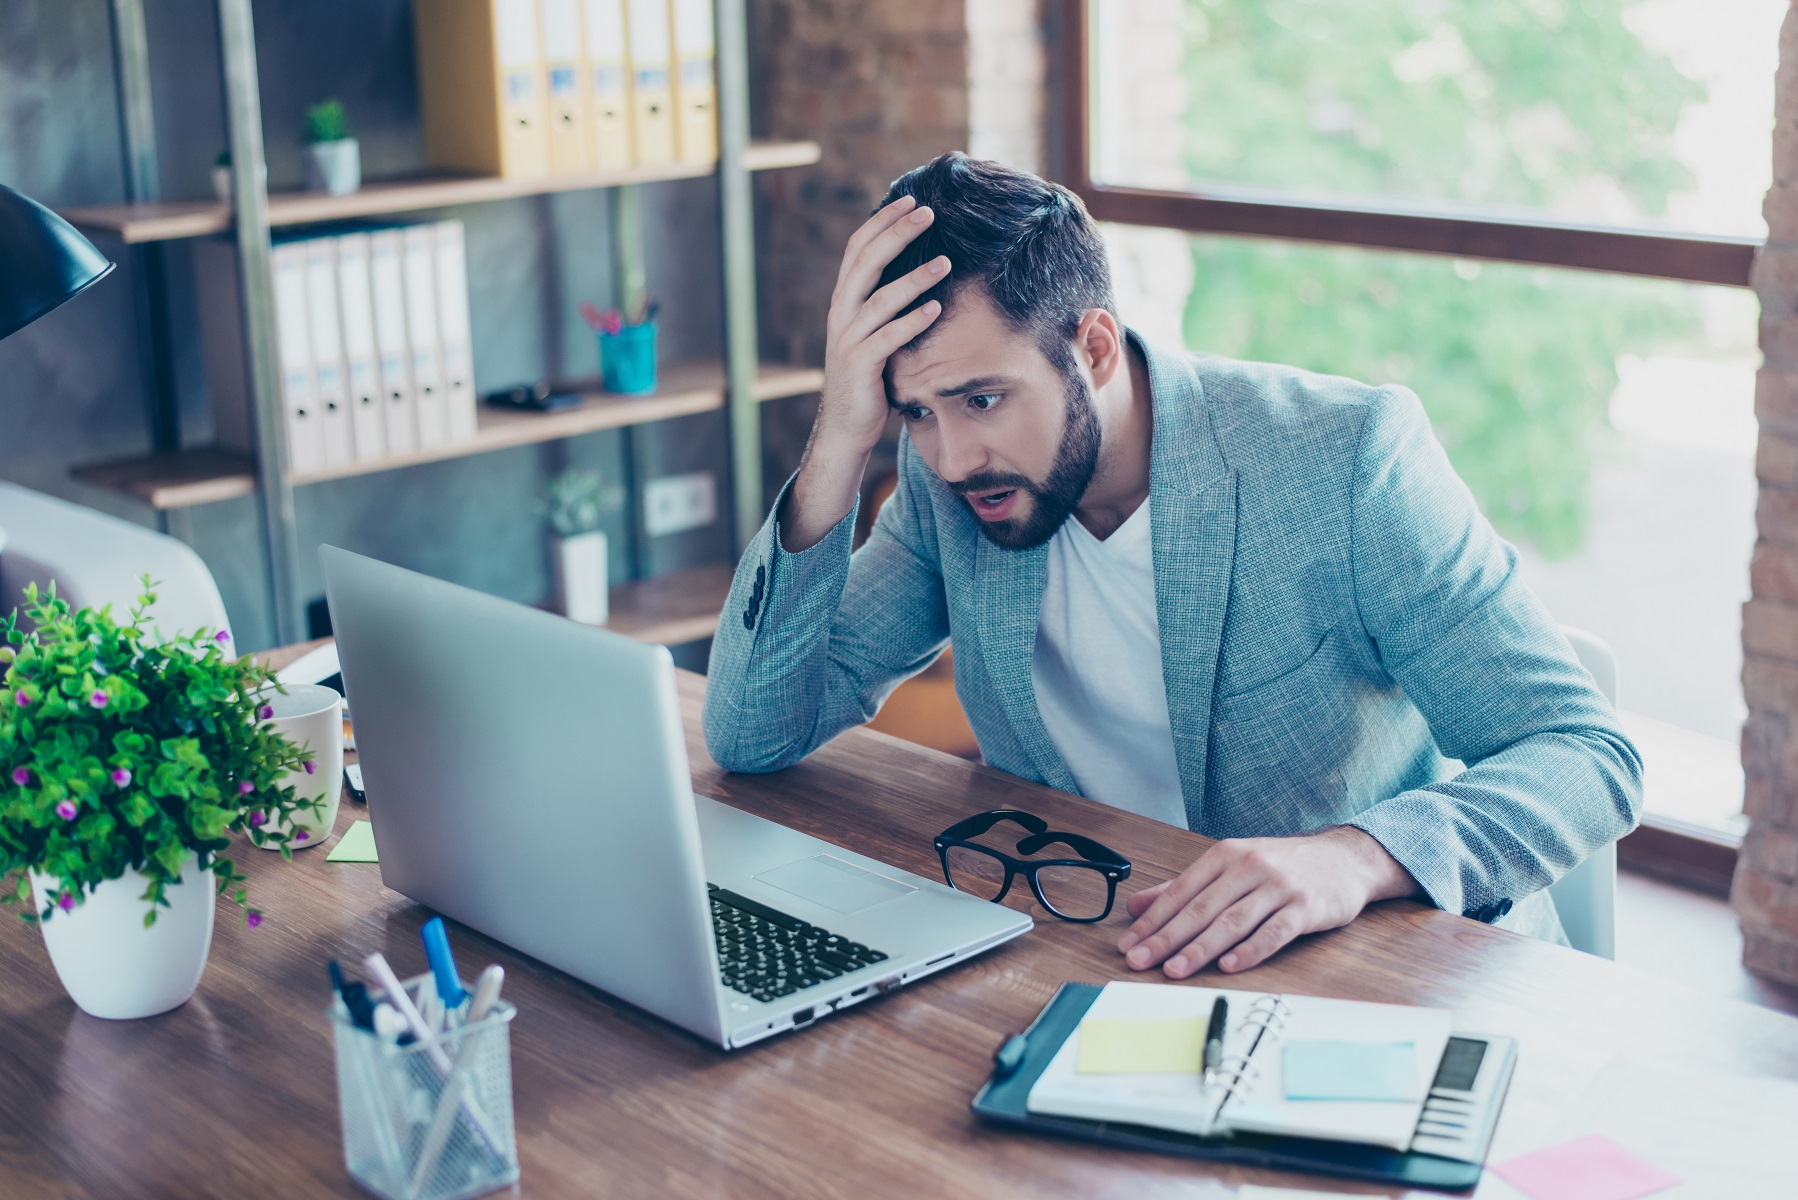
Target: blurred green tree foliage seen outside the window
pixel 1515 103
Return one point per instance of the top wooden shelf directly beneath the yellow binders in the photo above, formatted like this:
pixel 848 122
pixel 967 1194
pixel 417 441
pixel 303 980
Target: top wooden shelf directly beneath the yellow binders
pixel 197 219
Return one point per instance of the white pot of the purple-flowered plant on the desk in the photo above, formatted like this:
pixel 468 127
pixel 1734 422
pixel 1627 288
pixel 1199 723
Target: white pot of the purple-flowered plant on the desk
pixel 114 967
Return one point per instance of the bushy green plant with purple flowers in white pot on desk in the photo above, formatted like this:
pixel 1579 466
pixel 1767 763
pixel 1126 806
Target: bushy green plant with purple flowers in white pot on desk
pixel 127 766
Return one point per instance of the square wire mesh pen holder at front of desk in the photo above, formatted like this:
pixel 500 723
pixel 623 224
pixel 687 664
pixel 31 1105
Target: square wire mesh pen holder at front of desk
pixel 432 1120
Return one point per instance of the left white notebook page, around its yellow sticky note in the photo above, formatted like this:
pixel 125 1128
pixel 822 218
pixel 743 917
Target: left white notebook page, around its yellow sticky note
pixel 1164 1102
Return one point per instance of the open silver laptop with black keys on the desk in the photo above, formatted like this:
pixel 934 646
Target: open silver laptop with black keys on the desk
pixel 528 776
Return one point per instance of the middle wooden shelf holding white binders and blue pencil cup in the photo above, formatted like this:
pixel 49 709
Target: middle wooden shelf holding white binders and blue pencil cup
pixel 208 474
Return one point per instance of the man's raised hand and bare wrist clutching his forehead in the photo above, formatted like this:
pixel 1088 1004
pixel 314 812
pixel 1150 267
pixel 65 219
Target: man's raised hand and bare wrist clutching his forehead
pixel 864 332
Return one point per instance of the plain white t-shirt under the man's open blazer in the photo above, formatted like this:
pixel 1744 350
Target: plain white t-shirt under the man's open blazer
pixel 1098 670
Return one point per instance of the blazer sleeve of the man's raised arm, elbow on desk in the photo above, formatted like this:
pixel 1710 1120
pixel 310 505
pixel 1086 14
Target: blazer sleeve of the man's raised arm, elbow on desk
pixel 814 643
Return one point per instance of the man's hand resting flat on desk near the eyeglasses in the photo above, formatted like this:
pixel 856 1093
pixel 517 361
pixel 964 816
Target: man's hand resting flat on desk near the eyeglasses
pixel 1245 899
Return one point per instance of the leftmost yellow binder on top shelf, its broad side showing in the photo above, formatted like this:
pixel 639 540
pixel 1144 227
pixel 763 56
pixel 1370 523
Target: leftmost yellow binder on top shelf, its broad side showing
pixel 481 87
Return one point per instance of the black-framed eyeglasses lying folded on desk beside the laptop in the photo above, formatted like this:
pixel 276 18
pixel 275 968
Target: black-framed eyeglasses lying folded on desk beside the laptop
pixel 1074 890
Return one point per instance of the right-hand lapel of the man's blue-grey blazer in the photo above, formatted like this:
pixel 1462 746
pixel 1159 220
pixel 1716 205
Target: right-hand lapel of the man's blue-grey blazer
pixel 1193 496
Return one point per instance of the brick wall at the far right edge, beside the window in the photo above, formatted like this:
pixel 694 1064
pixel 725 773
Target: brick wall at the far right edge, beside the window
pixel 1767 881
